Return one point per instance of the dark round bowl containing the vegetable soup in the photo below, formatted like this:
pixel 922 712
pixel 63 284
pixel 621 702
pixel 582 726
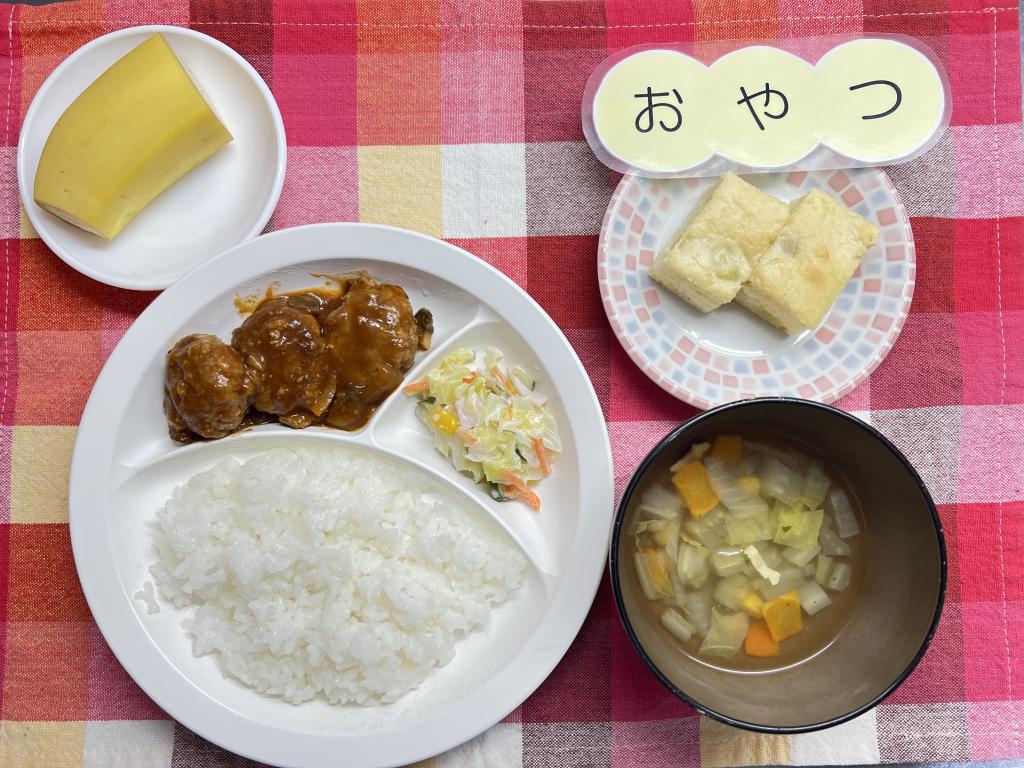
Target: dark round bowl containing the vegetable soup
pixel 846 658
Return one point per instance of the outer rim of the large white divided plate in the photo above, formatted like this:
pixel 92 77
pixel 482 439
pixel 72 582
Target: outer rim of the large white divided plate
pixel 112 606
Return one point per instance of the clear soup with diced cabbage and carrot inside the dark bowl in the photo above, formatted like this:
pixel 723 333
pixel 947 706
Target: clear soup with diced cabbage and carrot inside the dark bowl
pixel 751 551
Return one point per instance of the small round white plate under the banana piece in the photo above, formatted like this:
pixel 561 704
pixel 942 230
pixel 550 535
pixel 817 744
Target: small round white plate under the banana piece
pixel 226 201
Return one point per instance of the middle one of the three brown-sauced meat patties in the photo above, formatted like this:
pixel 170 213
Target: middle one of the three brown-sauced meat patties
pixel 283 351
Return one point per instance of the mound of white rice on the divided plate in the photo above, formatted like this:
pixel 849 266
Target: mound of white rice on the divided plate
pixel 328 573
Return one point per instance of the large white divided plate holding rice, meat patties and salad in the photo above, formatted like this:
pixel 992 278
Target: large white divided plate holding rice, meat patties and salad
pixel 125 466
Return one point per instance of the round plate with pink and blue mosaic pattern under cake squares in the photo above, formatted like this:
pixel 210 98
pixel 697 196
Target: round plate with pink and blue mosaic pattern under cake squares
pixel 731 354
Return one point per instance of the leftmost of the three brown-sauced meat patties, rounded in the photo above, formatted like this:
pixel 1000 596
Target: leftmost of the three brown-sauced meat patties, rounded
pixel 207 390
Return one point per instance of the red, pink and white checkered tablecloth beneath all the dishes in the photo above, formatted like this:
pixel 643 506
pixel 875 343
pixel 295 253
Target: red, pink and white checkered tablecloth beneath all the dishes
pixel 461 119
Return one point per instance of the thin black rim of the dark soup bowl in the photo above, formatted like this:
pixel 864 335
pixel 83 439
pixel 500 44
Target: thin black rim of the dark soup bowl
pixel 614 564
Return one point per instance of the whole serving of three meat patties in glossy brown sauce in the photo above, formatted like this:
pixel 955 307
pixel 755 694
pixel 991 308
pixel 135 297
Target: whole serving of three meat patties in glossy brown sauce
pixel 326 356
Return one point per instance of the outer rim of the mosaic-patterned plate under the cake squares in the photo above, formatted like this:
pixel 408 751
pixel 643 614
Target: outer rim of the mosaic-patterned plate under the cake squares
pixel 684 394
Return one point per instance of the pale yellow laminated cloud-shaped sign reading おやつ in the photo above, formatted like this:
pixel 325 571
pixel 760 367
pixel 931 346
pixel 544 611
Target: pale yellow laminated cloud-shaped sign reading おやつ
pixel 661 112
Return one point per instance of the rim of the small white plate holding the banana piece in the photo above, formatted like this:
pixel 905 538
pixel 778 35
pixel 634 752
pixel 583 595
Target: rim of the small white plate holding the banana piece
pixel 36 216
